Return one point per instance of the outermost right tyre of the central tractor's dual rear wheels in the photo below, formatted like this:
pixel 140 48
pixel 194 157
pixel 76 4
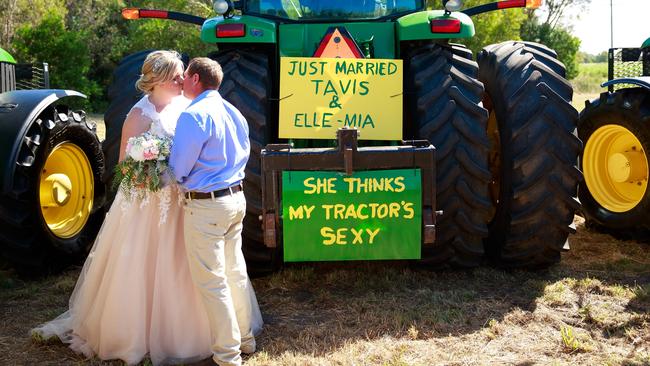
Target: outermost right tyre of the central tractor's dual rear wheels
pixel 535 164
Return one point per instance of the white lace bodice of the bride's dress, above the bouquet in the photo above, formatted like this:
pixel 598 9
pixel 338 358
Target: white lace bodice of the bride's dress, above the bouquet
pixel 163 123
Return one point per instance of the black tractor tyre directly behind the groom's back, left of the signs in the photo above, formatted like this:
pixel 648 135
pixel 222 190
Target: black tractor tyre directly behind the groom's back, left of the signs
pixel 247 85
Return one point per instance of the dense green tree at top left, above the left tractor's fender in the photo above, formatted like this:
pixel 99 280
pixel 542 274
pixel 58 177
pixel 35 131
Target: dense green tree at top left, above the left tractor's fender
pixel 65 51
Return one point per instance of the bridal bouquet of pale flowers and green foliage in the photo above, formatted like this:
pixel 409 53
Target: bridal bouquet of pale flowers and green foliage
pixel 146 166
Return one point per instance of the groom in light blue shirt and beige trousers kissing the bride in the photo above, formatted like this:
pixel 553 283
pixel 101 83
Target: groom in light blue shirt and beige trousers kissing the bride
pixel 208 158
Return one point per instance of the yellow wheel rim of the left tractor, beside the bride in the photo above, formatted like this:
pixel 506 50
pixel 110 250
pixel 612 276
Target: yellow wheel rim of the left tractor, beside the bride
pixel 66 190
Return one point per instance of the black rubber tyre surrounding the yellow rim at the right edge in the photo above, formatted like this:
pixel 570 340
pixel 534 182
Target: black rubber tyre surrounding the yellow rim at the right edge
pixel 629 108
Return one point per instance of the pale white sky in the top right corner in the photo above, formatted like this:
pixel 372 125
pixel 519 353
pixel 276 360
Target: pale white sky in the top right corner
pixel 592 26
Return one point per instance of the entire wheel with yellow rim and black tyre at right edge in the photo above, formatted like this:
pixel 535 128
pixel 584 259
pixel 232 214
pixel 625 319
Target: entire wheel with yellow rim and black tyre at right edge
pixel 616 132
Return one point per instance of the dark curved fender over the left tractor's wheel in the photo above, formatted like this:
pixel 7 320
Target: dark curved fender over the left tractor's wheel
pixel 19 109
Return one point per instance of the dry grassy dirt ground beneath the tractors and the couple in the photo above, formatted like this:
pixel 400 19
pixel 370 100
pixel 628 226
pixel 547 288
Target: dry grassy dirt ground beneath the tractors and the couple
pixel 592 308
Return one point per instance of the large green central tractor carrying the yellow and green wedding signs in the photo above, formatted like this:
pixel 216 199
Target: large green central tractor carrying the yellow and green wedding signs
pixel 375 137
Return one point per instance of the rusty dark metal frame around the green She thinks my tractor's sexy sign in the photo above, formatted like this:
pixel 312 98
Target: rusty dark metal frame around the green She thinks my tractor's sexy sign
pixel 345 157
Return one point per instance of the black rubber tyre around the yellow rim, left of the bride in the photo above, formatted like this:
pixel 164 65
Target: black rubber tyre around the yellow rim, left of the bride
pixel 27 242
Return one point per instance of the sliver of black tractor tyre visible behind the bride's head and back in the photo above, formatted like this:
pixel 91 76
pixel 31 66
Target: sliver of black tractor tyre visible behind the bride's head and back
pixel 122 96
